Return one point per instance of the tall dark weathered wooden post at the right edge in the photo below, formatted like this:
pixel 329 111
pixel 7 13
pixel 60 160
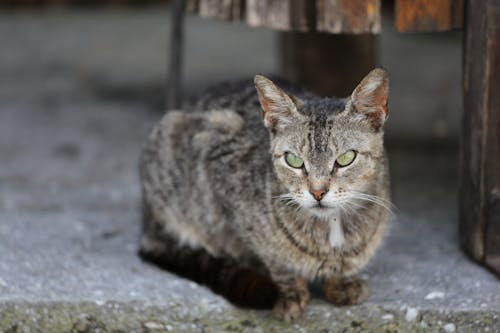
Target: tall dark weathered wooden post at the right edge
pixel 480 141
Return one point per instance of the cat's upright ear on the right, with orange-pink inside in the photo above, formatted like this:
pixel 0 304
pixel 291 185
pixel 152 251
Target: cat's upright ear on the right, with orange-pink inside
pixel 370 97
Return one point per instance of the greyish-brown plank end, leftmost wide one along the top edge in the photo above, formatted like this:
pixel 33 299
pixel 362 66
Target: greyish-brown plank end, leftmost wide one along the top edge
pixel 229 10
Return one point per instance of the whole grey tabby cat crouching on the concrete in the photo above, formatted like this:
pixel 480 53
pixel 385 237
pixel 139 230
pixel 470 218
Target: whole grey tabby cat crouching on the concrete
pixel 255 201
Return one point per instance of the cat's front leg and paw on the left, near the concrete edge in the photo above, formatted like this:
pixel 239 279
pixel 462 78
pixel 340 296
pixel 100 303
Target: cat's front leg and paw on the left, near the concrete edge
pixel 292 298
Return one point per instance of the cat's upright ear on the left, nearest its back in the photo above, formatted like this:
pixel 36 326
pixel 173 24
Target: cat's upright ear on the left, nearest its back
pixel 278 108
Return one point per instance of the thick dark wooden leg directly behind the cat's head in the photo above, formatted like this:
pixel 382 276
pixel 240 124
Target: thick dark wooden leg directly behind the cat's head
pixel 330 65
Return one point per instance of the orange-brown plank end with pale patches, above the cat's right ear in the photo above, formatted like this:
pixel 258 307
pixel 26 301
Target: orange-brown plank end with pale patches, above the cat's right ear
pixel 348 16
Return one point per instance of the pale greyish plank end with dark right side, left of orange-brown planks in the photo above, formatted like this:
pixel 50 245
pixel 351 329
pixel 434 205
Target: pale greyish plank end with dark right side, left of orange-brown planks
pixel 284 15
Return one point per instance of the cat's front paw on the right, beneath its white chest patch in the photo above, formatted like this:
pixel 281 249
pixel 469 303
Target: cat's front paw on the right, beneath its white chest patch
pixel 346 291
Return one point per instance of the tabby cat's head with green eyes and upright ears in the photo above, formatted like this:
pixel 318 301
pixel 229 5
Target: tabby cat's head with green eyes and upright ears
pixel 327 151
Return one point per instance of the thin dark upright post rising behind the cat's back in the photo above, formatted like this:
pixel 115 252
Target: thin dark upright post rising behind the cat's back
pixel 174 81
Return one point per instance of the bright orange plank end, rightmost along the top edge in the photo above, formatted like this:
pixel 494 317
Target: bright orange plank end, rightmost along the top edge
pixel 428 15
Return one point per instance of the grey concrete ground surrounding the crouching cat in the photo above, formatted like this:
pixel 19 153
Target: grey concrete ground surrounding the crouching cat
pixel 73 116
